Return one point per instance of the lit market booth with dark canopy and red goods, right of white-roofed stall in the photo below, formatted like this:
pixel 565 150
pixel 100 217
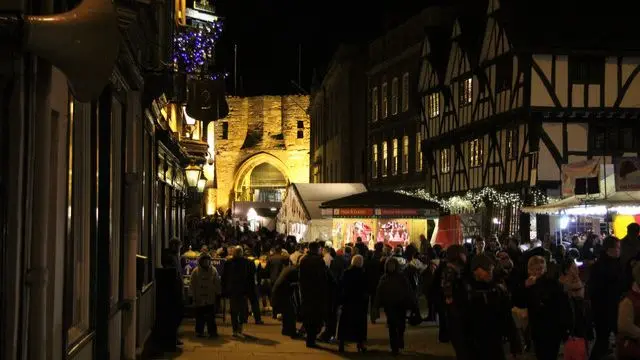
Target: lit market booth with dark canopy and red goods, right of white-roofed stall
pixel 379 216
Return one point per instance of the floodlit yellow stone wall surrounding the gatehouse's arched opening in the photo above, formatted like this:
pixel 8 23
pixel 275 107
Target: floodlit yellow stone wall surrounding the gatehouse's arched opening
pixel 261 129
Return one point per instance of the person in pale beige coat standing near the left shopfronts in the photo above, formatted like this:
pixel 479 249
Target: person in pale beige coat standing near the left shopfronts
pixel 205 287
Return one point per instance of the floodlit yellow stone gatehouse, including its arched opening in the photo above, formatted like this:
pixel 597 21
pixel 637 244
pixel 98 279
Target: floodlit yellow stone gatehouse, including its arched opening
pixel 260 147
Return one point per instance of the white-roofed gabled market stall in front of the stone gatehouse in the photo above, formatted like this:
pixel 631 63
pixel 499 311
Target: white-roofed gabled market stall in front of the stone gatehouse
pixel 300 213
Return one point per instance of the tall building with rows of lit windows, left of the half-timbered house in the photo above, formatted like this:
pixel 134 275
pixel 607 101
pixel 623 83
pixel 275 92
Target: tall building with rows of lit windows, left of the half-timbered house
pixel 394 139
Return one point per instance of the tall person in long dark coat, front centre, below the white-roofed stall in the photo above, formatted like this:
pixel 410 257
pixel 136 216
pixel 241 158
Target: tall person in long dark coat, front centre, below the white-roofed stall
pixel 314 278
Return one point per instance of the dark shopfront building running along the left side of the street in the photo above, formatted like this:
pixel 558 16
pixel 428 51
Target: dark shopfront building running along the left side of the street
pixel 91 193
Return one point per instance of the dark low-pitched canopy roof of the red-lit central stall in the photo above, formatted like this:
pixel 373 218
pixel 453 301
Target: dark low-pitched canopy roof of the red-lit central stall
pixel 383 200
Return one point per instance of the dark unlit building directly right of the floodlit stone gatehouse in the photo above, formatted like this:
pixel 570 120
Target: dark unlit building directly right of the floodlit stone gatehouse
pixel 338 116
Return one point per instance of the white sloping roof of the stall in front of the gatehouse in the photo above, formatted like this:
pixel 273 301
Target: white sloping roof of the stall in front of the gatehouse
pixel 313 195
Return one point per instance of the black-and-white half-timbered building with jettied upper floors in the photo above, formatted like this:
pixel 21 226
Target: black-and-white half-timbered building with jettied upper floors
pixel 525 91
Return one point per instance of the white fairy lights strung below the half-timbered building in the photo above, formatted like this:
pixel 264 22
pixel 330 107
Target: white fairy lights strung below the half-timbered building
pixel 474 200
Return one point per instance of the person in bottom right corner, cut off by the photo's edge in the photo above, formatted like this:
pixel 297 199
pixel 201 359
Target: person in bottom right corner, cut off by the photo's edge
pixel 628 338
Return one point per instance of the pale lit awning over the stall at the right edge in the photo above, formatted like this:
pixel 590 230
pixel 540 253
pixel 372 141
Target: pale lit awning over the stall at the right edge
pixel 619 198
